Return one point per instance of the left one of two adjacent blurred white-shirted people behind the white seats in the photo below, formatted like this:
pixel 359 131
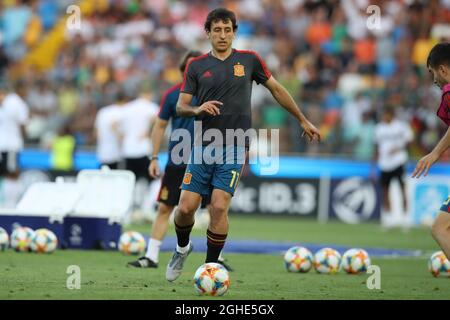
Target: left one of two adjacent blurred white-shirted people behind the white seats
pixel 108 136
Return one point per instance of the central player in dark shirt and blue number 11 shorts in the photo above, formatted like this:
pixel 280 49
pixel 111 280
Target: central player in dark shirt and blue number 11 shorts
pixel 222 83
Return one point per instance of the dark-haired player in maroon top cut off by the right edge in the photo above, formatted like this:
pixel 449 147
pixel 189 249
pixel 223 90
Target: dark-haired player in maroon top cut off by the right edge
pixel 438 64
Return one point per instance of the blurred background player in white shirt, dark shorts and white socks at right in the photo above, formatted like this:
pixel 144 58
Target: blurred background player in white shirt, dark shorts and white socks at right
pixel 392 137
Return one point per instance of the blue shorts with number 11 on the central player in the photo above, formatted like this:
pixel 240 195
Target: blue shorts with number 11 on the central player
pixel 214 168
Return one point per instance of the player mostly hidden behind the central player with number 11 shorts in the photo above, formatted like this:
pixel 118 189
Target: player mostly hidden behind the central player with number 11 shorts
pixel 169 193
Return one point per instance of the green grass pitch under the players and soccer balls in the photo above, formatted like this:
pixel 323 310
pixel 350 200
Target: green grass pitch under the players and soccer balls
pixel 257 276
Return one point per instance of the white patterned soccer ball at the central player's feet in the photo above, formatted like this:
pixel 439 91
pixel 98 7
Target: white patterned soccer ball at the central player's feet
pixel 211 279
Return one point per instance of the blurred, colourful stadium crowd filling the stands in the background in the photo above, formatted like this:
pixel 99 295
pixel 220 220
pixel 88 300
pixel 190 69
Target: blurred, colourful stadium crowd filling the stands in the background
pixel 341 63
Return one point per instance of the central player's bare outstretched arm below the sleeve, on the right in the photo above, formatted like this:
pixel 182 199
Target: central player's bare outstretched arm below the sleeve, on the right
pixel 287 102
